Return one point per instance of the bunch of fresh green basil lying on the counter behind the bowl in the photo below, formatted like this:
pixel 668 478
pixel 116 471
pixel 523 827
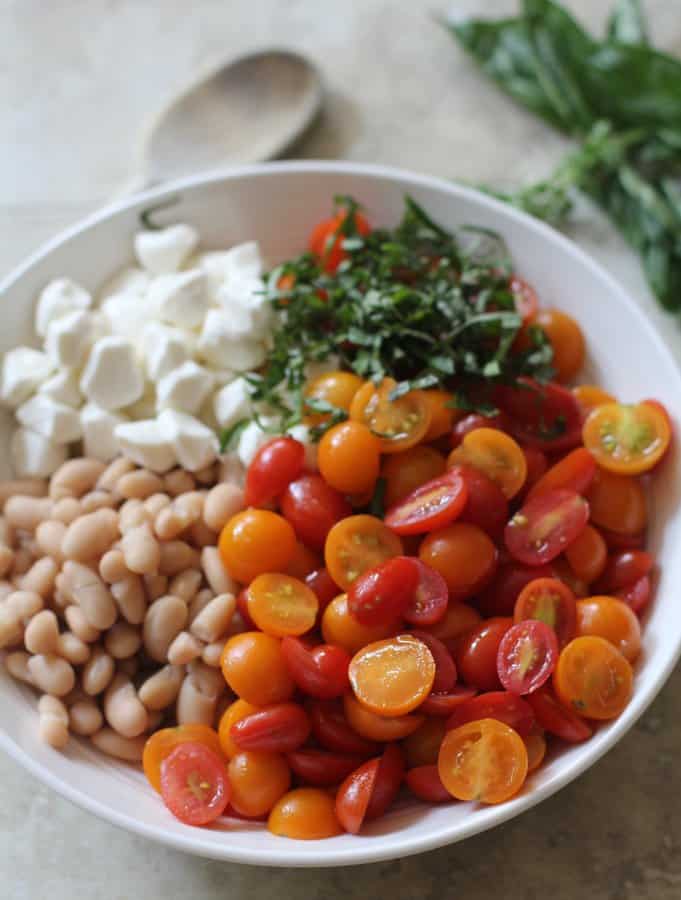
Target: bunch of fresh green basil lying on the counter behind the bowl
pixel 621 98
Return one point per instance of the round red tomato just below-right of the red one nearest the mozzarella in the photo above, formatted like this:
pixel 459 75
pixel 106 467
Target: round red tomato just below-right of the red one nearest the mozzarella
pixel 313 508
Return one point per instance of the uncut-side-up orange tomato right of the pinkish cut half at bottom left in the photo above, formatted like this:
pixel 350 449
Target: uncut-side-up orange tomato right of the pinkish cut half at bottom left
pixel 258 781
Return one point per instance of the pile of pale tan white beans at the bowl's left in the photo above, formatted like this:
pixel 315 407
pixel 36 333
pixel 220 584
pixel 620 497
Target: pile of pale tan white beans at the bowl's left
pixel 114 603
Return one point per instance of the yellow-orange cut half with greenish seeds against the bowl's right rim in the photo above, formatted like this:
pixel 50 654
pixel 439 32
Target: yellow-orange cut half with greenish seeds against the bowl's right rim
pixel 627 439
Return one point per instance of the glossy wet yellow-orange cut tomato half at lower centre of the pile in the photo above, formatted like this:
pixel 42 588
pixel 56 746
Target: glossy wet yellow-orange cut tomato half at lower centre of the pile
pixel 394 676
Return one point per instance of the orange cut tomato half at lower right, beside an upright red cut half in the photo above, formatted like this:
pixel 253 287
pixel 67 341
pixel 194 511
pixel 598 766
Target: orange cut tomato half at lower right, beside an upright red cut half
pixel 593 678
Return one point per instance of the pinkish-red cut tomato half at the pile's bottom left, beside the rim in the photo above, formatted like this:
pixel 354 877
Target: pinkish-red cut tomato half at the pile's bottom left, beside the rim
pixel 194 784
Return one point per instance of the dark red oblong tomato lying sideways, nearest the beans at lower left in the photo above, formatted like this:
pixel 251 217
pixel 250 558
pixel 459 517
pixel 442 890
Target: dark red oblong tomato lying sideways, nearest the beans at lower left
pixel 279 728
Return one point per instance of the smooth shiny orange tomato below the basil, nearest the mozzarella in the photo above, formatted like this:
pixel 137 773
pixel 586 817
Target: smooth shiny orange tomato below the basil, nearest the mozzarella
pixel 349 458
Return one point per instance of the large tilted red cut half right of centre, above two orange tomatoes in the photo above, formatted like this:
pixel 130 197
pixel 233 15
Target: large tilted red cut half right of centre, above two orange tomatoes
pixel 545 526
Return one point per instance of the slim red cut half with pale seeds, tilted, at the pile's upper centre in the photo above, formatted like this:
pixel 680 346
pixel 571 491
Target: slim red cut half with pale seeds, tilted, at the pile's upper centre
pixel 433 505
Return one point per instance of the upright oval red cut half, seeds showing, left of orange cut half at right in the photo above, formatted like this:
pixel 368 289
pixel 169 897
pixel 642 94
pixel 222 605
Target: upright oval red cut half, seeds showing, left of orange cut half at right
pixel 527 656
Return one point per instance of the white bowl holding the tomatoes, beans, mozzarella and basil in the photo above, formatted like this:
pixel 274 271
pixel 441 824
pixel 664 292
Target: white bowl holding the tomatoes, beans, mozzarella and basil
pixel 278 204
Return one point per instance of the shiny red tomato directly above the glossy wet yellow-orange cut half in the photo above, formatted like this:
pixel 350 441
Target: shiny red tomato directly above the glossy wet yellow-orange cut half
pixel 381 595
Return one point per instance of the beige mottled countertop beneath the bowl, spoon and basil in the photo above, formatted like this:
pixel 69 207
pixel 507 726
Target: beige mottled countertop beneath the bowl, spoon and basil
pixel 78 81
